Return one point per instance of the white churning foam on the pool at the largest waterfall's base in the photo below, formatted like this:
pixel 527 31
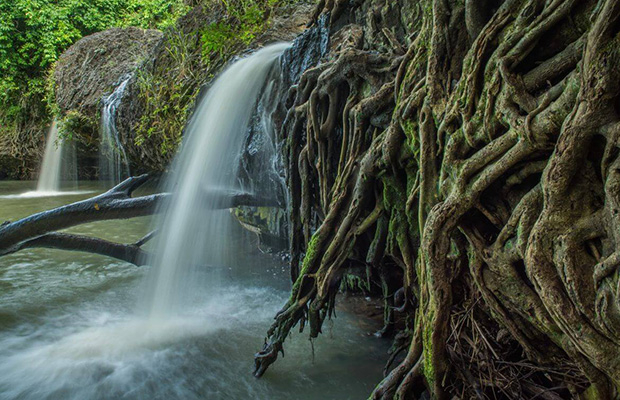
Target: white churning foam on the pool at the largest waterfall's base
pixel 103 355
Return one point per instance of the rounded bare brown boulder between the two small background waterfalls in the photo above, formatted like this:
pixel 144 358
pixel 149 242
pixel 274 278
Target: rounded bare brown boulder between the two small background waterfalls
pixel 90 70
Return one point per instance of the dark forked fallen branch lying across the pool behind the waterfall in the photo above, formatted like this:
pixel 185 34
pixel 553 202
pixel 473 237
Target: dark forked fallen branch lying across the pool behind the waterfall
pixel 40 230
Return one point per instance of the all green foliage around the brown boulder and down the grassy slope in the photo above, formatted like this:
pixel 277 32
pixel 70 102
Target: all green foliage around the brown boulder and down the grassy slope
pixel 33 34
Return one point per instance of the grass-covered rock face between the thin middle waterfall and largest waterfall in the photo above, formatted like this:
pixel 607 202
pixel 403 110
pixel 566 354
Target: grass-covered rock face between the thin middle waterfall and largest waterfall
pixel 153 113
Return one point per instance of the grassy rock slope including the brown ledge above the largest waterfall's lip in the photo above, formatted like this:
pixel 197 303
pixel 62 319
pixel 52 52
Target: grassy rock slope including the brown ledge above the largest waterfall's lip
pixel 161 97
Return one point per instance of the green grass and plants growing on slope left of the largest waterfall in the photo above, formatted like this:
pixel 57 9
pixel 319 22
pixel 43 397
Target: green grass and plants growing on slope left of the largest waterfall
pixel 194 53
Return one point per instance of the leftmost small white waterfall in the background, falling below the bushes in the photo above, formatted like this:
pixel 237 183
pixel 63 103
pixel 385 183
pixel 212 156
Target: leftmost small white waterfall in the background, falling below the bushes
pixel 51 167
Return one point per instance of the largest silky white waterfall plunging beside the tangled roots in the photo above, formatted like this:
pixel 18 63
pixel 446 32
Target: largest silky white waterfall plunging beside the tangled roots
pixel 191 234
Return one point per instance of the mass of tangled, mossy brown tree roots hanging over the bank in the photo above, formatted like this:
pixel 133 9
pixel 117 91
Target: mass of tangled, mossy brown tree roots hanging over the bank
pixel 481 168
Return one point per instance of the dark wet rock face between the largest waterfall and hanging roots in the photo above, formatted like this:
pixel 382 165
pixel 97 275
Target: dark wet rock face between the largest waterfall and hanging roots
pixel 262 164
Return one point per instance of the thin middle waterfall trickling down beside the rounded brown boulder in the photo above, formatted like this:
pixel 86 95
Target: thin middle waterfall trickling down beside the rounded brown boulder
pixel 113 165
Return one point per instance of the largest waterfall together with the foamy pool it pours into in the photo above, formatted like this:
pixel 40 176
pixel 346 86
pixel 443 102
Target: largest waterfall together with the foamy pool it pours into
pixel 69 331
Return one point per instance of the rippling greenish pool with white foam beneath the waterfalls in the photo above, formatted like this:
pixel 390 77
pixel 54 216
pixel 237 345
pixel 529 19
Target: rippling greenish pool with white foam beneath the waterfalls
pixel 68 327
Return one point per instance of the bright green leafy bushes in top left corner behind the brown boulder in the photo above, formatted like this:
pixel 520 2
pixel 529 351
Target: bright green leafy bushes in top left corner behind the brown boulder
pixel 33 33
